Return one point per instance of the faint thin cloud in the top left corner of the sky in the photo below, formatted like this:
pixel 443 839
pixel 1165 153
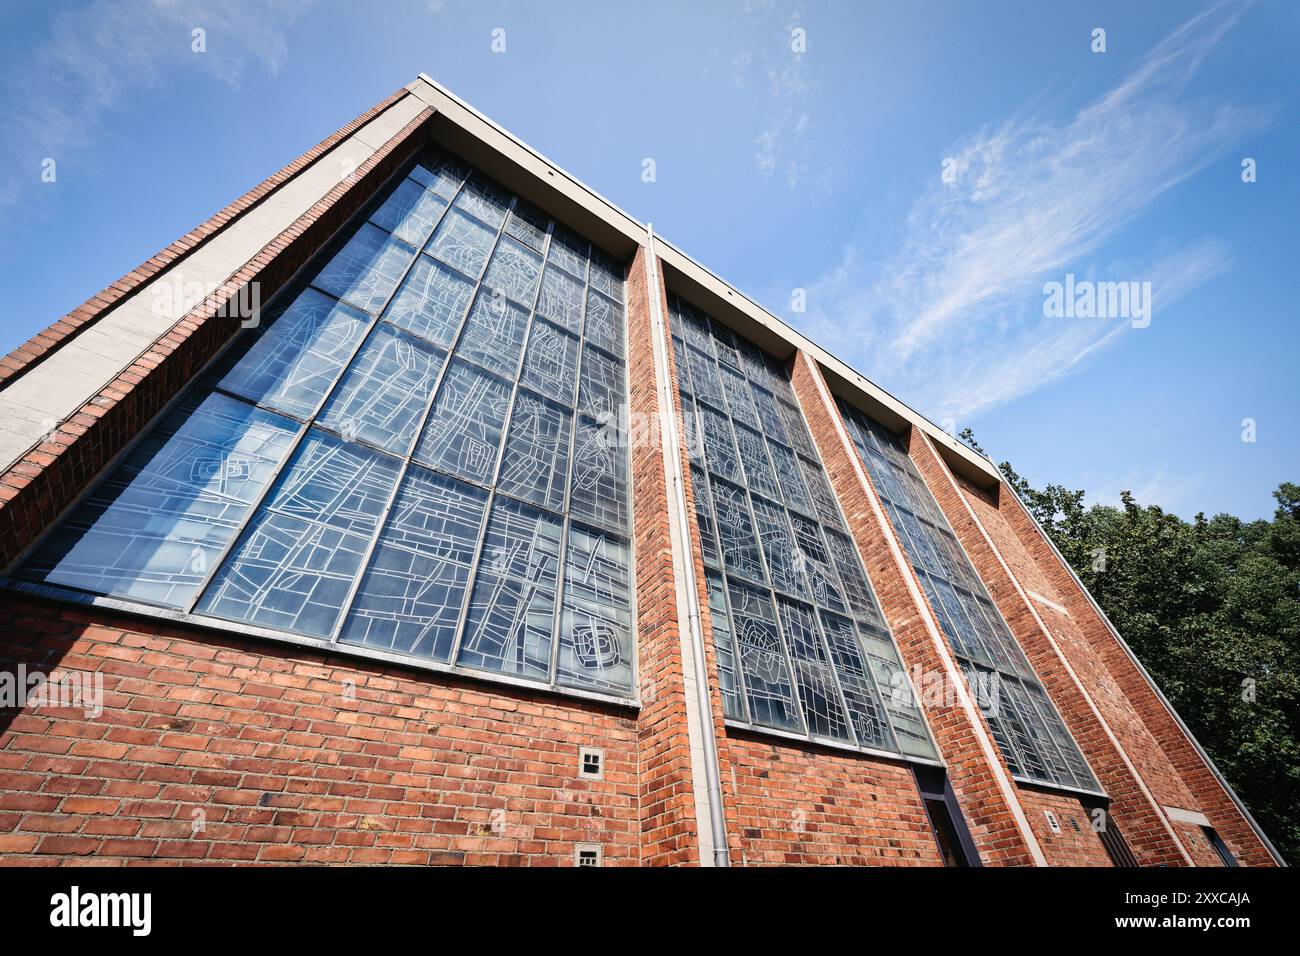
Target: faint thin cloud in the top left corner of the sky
pixel 57 97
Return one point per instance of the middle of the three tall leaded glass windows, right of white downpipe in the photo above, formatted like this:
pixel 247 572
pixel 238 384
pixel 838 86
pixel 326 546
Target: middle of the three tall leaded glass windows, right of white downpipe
pixel 801 644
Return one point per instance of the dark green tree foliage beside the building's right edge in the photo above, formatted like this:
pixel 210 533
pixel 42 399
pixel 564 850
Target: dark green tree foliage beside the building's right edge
pixel 1212 609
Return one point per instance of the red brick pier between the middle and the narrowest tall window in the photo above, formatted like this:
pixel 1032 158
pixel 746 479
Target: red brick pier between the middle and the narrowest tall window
pixel 986 807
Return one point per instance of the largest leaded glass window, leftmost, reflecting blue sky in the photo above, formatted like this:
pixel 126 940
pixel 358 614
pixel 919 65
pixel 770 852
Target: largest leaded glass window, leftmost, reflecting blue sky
pixel 419 451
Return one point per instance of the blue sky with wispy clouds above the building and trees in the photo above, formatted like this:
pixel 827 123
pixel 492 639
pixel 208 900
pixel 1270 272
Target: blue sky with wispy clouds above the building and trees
pixel 781 171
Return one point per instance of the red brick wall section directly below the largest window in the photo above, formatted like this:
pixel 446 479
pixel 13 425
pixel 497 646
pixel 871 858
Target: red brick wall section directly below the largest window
pixel 287 765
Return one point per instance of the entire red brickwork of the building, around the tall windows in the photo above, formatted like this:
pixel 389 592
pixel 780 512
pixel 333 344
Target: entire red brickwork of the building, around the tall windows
pixel 215 747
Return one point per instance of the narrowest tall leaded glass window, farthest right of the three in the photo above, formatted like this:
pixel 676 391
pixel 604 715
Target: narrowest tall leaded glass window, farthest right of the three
pixel 1026 728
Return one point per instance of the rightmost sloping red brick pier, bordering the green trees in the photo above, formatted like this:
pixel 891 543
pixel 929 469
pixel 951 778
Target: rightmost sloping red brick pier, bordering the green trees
pixel 1211 798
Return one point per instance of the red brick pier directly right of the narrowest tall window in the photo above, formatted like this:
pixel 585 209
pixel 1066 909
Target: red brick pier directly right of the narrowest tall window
pixel 1137 812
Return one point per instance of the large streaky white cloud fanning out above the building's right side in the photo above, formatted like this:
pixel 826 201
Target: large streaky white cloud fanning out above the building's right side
pixel 955 321
